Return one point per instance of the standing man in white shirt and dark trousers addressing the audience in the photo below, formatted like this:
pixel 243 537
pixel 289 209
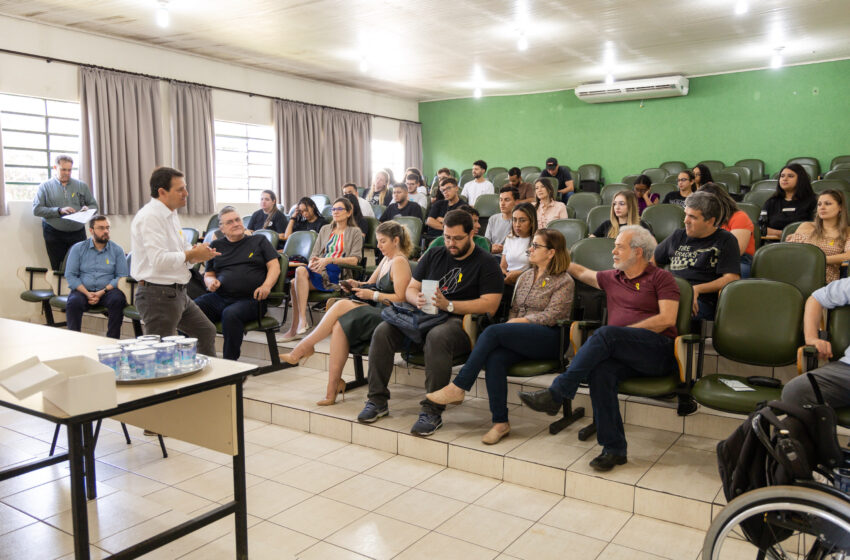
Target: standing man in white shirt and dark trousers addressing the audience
pixel 161 262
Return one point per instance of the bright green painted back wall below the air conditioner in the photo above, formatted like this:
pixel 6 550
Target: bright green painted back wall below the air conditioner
pixel 772 115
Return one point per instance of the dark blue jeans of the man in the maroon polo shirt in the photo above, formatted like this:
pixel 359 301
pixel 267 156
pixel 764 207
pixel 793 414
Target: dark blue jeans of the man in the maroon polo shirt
pixel 612 354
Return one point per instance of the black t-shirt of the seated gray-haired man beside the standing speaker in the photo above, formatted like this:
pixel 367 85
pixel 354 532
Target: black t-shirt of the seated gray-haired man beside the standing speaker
pixel 241 268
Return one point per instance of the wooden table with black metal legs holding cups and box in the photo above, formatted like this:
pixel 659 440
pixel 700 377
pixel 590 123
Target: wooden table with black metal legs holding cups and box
pixel 204 409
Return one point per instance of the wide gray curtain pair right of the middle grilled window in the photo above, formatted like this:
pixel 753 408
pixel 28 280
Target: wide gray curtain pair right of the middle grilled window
pixel 319 149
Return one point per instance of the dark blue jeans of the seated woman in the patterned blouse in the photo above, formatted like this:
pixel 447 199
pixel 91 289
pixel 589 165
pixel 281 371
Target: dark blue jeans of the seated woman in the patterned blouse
pixel 497 349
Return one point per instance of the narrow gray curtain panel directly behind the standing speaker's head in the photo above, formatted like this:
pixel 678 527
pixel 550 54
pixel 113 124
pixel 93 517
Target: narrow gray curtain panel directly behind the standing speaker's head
pixel 192 149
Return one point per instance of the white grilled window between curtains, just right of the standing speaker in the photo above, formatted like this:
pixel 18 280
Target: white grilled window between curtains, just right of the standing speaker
pixel 244 161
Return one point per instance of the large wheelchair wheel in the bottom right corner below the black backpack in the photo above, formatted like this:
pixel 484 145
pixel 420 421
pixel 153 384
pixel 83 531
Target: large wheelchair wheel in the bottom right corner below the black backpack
pixel 781 523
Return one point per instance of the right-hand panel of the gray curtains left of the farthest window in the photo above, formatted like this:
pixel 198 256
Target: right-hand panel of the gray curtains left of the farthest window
pixel 347 150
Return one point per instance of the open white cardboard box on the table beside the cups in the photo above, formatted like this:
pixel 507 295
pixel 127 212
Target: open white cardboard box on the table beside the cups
pixel 85 385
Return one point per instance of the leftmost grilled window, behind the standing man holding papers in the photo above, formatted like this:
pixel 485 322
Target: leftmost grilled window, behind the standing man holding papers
pixel 35 131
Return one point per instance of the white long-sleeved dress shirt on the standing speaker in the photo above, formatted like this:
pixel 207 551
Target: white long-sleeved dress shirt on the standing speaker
pixel 158 246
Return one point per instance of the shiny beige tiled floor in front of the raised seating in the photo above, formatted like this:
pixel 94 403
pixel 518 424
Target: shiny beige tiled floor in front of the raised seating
pixel 314 497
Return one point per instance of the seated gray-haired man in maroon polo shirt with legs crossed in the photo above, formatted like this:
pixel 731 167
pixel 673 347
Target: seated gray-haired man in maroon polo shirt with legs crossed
pixel 643 301
